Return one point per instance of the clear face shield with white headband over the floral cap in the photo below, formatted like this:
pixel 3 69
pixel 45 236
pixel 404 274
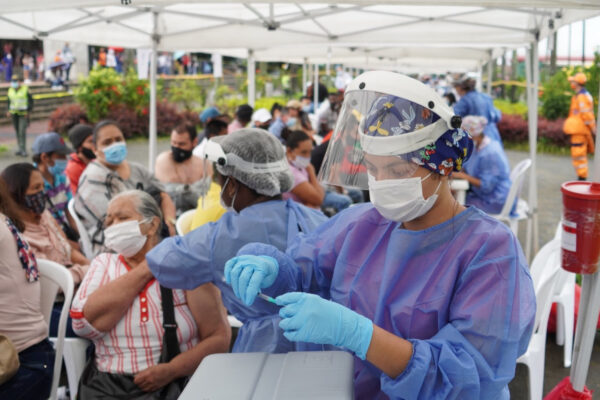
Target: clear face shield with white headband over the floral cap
pixel 382 134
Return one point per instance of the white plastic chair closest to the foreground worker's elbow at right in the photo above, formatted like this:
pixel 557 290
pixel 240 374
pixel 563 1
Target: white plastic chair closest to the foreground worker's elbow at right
pixel 544 272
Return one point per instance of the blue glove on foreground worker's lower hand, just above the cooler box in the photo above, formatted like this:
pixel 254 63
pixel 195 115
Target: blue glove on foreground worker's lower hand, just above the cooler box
pixel 310 318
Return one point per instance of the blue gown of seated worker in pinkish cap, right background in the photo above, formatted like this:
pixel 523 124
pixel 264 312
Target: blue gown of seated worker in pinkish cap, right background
pixel 489 164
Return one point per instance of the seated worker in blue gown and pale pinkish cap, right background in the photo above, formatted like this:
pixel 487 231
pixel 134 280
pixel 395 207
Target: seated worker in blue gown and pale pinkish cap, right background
pixel 487 170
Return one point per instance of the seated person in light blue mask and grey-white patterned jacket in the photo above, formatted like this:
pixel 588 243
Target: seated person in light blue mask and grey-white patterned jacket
pixel 110 173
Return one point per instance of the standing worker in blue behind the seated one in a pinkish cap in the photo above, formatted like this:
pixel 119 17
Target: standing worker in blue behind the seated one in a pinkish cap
pixel 473 102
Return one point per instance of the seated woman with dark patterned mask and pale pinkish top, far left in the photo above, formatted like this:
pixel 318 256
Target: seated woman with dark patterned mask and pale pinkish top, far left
pixel 42 232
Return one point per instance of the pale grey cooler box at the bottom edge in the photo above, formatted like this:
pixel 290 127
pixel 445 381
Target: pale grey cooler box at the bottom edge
pixel 256 376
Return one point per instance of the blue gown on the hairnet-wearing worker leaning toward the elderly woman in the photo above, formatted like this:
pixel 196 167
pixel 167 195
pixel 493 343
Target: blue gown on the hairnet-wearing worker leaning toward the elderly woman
pixel 186 262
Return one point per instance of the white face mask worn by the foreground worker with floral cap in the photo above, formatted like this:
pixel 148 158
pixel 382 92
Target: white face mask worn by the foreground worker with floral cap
pixel 401 200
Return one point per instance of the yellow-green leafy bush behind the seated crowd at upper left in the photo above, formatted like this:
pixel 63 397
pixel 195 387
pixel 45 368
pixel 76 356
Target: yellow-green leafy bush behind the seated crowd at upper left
pixel 100 91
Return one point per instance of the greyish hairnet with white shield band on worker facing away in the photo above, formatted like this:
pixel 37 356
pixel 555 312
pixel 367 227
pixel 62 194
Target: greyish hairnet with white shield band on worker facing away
pixel 257 159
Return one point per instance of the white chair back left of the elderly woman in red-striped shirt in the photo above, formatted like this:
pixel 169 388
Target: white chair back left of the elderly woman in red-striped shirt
pixel 53 277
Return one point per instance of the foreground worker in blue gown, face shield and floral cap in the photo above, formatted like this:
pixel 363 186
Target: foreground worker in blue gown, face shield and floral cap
pixel 434 299
